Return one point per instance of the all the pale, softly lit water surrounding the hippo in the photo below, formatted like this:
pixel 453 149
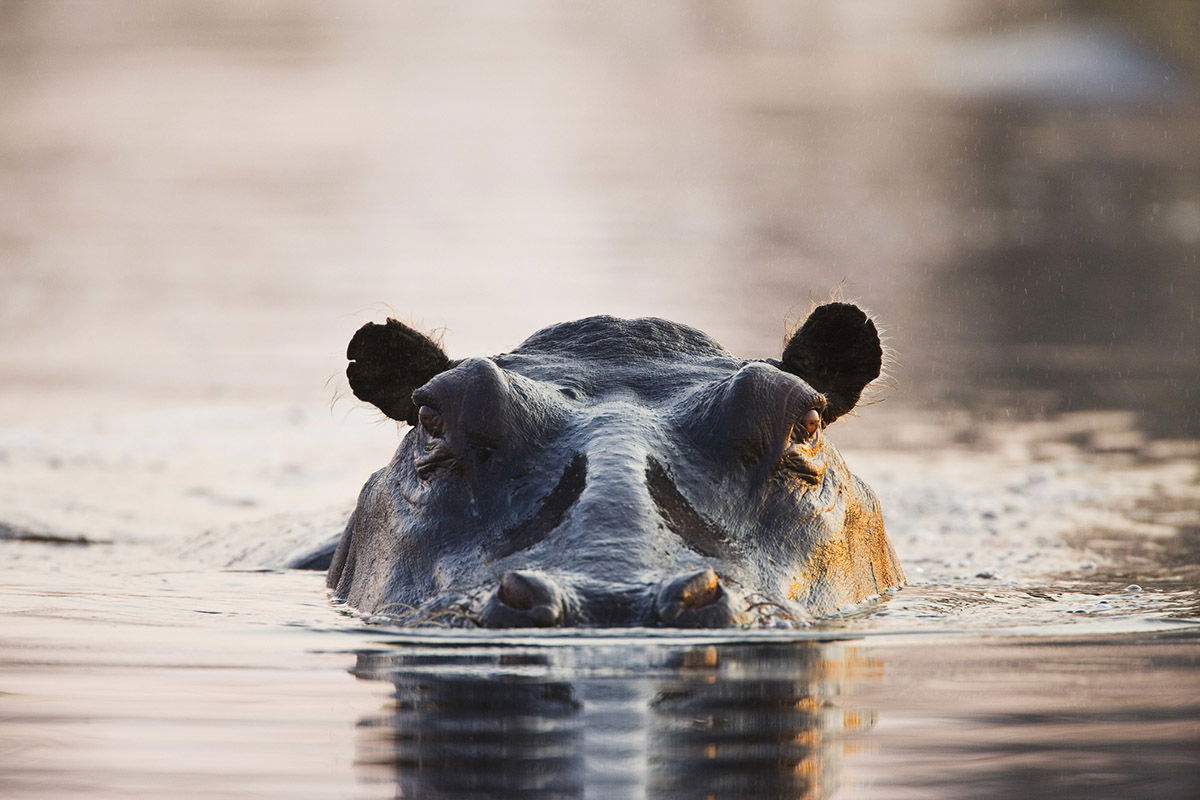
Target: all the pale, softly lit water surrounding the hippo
pixel 202 203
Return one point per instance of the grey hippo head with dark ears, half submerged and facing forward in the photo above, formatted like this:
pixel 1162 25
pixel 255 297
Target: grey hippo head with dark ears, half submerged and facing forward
pixel 616 473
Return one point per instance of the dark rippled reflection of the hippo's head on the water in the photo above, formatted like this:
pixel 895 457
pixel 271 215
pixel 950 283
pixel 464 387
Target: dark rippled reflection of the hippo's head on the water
pixel 614 721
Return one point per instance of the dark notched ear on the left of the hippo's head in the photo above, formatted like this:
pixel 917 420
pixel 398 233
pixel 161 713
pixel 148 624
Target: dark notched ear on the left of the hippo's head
pixel 389 363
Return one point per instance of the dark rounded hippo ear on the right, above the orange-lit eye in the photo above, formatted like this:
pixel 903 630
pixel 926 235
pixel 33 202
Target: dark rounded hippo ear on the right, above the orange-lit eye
pixel 838 353
